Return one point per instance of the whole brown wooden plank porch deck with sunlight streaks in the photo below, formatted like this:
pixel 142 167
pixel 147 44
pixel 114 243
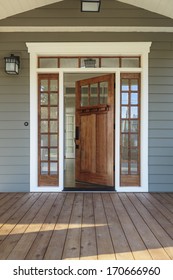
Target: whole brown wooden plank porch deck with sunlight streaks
pixel 86 226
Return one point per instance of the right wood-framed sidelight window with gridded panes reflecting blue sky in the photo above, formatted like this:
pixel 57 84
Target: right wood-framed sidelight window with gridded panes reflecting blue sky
pixel 130 129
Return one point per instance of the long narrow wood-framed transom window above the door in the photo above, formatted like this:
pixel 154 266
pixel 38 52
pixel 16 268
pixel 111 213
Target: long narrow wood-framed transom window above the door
pixel 89 62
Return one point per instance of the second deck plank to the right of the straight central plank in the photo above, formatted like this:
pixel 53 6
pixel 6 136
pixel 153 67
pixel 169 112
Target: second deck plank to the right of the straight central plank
pixel 120 243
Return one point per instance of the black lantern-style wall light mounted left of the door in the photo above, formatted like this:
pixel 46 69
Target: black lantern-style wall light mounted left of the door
pixel 12 64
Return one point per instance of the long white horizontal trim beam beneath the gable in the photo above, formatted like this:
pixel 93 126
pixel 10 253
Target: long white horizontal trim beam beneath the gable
pixel 71 29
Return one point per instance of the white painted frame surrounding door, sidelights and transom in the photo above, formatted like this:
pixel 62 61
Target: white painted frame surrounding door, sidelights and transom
pixel 88 49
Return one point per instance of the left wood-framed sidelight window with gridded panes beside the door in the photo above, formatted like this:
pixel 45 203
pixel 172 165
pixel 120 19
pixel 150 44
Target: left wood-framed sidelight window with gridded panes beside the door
pixel 48 129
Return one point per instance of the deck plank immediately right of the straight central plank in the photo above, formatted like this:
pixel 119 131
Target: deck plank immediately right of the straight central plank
pixel 104 243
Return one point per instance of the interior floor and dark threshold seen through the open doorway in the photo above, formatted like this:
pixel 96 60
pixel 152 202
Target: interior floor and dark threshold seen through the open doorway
pixel 72 184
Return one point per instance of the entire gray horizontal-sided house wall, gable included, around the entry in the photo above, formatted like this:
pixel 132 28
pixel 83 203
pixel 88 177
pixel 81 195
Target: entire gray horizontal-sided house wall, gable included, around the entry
pixel 14 91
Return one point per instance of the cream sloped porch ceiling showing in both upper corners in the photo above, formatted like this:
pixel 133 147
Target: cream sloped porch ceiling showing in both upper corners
pixel 12 7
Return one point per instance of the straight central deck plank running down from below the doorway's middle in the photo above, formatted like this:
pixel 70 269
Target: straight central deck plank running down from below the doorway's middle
pixel 88 234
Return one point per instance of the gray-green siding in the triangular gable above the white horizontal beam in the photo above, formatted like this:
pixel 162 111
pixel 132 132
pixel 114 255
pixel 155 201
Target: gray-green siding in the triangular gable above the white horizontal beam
pixel 67 13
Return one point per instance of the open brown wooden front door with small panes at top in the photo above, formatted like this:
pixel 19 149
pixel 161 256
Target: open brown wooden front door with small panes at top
pixel 95 130
